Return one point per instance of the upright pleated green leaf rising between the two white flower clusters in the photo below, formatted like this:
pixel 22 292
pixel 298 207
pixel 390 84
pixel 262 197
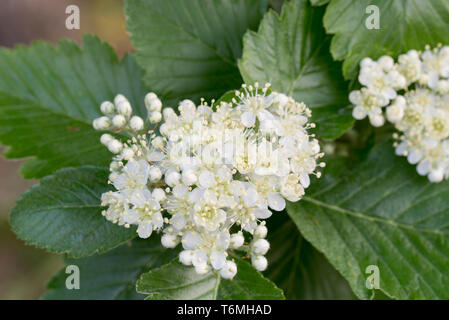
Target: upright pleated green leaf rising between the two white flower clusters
pixel 292 53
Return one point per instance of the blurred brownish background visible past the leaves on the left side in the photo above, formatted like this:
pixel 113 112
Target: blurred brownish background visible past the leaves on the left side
pixel 25 270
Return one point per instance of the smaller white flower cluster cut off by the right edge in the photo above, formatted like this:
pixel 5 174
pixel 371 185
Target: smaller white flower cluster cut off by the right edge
pixel 415 93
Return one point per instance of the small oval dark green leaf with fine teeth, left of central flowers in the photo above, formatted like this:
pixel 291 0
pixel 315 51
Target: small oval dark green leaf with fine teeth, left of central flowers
pixel 63 214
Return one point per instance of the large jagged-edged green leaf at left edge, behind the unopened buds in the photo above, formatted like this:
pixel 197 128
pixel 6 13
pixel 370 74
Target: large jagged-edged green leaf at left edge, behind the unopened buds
pixel 50 95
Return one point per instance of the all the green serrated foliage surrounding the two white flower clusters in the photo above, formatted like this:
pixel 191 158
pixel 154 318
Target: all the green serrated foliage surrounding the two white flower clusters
pixel 378 212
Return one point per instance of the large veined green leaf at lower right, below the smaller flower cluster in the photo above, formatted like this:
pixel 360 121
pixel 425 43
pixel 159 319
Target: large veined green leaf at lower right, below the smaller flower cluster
pixel 383 214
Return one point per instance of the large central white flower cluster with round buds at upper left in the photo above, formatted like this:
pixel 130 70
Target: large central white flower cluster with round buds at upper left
pixel 211 176
